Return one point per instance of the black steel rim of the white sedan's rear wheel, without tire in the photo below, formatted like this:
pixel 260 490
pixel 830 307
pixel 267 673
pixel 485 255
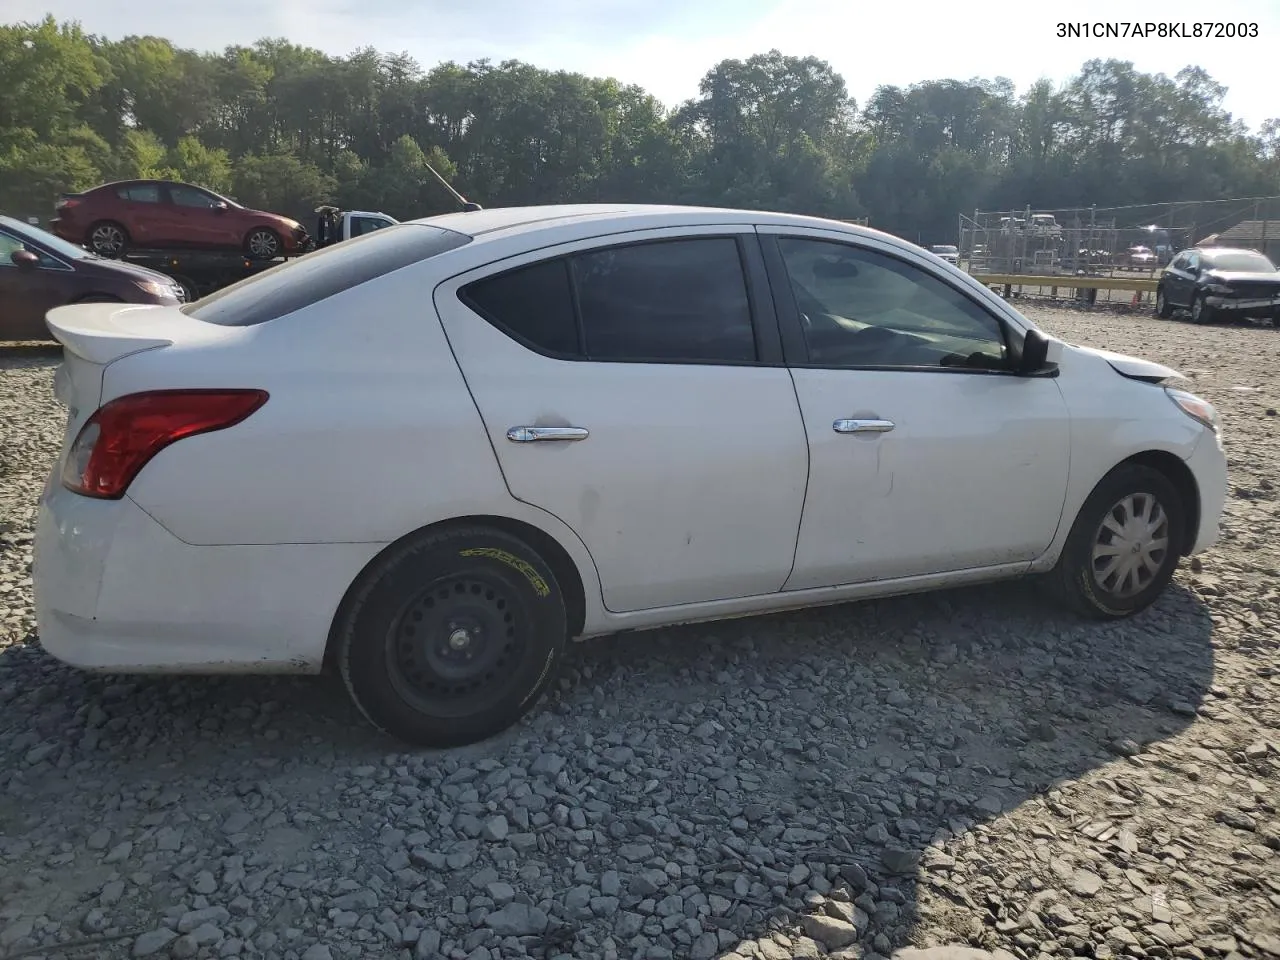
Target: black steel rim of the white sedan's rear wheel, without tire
pixel 455 648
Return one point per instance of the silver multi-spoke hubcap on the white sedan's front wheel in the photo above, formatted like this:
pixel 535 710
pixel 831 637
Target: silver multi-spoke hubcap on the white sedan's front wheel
pixel 1131 546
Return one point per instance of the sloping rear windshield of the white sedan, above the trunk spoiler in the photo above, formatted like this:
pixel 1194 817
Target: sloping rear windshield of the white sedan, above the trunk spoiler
pixel 319 276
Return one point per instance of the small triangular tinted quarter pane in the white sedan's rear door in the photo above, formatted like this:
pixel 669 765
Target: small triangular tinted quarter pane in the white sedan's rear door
pixel 533 304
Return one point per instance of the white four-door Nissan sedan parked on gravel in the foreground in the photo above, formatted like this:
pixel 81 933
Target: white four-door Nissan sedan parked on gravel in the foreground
pixel 432 455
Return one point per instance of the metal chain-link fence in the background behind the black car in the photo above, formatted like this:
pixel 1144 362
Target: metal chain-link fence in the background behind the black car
pixel 1131 241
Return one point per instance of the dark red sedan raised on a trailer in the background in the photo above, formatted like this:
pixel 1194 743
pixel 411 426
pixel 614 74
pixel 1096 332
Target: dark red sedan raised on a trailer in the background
pixel 149 214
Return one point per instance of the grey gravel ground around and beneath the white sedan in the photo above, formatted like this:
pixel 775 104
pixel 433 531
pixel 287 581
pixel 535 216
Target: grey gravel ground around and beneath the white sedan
pixel 967 769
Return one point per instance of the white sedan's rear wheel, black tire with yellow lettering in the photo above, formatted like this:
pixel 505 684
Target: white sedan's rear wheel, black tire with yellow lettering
pixel 452 637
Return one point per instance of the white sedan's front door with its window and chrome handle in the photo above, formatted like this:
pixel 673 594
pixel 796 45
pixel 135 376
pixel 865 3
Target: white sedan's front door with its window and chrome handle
pixel 927 456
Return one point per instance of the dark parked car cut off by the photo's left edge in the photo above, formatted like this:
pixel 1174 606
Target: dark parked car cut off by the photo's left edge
pixel 40 272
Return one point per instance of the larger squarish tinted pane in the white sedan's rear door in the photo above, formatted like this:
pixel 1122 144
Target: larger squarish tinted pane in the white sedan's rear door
pixel 673 300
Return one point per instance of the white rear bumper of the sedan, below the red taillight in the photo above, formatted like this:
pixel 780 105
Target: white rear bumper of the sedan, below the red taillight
pixel 116 592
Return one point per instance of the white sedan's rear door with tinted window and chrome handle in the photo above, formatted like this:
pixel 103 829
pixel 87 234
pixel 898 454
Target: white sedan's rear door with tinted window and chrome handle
pixel 633 387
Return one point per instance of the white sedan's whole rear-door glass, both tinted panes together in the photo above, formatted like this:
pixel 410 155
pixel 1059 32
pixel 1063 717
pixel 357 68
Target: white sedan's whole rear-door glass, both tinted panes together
pixel 680 300
